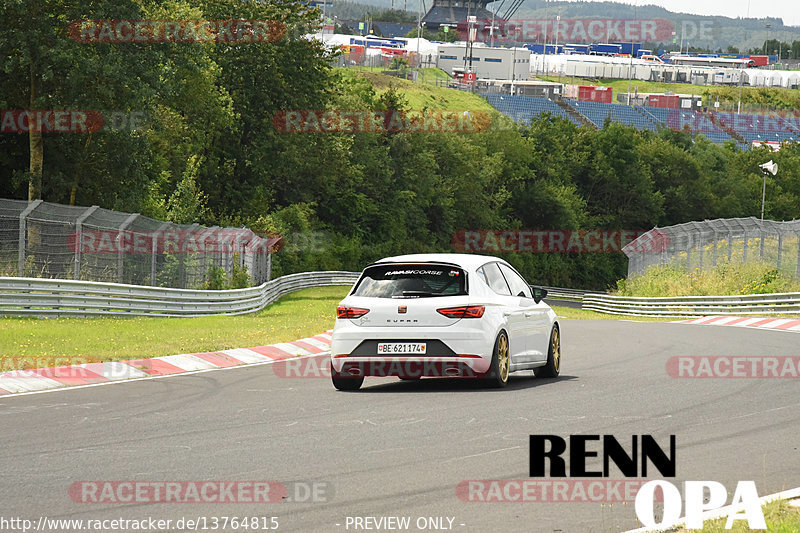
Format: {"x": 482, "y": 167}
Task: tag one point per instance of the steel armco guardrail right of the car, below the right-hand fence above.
{"x": 748, "y": 304}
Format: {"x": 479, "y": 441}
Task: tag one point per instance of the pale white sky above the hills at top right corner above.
{"x": 788, "y": 10}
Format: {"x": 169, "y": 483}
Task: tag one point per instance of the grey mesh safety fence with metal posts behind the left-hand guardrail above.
{"x": 46, "y": 240}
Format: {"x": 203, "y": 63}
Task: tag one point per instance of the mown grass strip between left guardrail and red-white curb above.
{"x": 29, "y": 342}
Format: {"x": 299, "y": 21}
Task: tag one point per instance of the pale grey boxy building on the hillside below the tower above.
{"x": 486, "y": 62}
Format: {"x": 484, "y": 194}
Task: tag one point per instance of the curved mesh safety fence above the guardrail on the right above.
{"x": 706, "y": 244}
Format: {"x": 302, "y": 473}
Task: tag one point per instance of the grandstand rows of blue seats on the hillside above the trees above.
{"x": 742, "y": 129}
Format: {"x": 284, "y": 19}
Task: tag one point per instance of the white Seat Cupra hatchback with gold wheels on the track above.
{"x": 443, "y": 315}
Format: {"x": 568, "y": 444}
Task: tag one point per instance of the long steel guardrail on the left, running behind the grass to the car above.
{"x": 49, "y": 297}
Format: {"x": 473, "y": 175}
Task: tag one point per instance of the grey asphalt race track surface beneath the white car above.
{"x": 401, "y": 448}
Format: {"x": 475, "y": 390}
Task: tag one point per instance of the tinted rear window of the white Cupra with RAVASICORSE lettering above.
{"x": 411, "y": 281}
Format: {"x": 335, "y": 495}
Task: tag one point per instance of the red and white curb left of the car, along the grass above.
{"x": 41, "y": 379}
